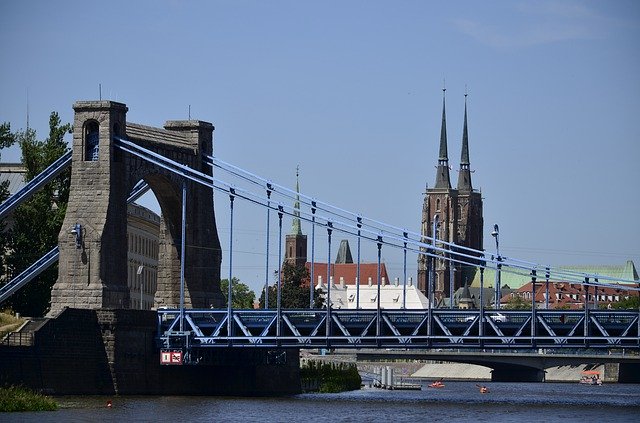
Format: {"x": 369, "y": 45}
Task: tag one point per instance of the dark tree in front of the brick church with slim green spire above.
{"x": 293, "y": 293}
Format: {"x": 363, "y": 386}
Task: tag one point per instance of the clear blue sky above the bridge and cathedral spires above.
{"x": 351, "y": 92}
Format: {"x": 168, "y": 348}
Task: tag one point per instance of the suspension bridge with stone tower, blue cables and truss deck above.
{"x": 191, "y": 317}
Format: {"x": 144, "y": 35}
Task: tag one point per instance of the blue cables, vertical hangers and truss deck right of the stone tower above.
{"x": 393, "y": 328}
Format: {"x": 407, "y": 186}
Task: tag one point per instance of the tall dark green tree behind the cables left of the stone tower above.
{"x": 37, "y": 221}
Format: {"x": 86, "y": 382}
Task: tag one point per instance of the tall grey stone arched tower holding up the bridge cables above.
{"x": 93, "y": 240}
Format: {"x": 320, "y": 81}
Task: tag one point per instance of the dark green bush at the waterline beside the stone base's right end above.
{"x": 330, "y": 377}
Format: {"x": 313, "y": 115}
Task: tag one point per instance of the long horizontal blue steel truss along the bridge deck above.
{"x": 437, "y": 328}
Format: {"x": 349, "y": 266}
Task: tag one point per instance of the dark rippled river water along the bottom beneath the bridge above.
{"x": 456, "y": 402}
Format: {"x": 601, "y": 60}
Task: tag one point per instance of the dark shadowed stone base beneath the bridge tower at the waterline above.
{"x": 114, "y": 351}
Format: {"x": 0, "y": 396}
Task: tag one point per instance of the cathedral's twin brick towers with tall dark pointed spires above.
{"x": 458, "y": 216}
